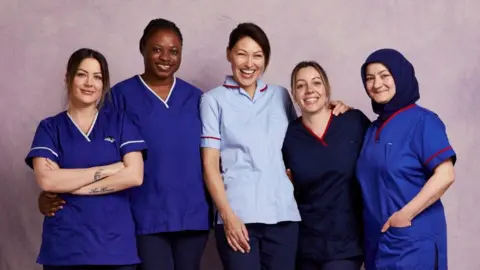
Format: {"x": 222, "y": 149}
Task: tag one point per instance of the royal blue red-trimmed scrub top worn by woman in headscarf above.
{"x": 396, "y": 161}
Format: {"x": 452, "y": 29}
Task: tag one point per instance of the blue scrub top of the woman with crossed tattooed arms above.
{"x": 89, "y": 230}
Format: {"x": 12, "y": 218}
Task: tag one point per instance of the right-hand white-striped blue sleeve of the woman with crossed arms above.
{"x": 131, "y": 140}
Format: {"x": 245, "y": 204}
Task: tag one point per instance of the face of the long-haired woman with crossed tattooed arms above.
{"x": 86, "y": 86}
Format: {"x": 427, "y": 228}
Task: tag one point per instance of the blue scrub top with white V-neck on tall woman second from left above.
{"x": 173, "y": 195}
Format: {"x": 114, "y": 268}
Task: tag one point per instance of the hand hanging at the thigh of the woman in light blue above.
{"x": 236, "y": 233}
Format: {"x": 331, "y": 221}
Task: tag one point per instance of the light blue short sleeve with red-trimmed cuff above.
{"x": 210, "y": 117}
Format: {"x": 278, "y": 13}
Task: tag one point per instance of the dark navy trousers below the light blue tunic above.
{"x": 272, "y": 247}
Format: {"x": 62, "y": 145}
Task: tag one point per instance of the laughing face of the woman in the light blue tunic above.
{"x": 248, "y": 62}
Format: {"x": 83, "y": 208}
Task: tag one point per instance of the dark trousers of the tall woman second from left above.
{"x": 172, "y": 250}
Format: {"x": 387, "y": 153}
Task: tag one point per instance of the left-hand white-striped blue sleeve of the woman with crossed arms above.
{"x": 45, "y": 144}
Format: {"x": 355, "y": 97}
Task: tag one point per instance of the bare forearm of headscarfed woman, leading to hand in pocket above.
{"x": 433, "y": 190}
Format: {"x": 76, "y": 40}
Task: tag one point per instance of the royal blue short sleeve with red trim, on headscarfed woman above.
{"x": 431, "y": 142}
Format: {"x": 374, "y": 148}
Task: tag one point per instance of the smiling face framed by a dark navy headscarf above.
{"x": 379, "y": 83}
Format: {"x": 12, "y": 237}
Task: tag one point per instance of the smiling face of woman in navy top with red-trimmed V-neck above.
{"x": 310, "y": 91}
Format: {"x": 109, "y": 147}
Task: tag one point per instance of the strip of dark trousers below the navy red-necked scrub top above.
{"x": 345, "y": 264}
